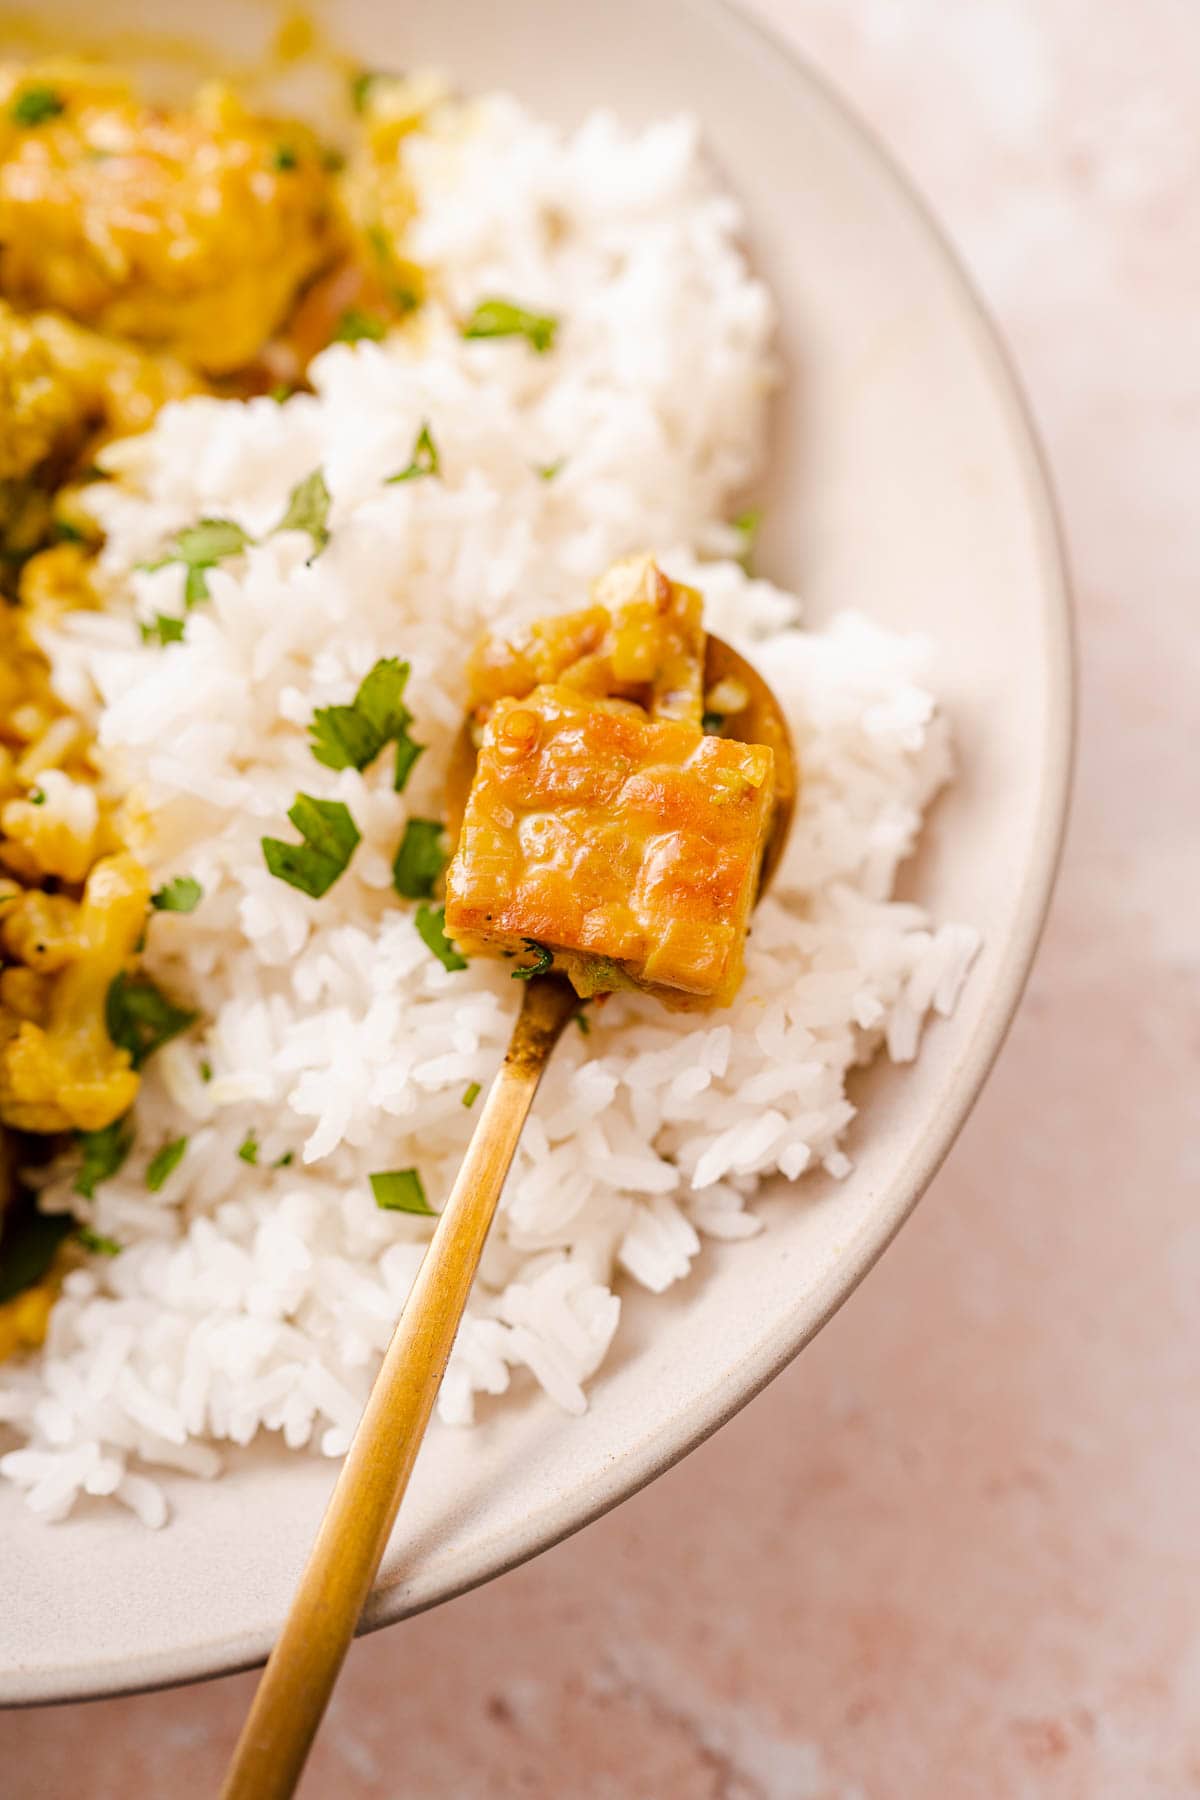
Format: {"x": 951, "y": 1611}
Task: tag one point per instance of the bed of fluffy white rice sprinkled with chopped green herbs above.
{"x": 256, "y": 1299}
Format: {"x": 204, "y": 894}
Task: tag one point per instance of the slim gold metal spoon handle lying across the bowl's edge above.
{"x": 359, "y": 1520}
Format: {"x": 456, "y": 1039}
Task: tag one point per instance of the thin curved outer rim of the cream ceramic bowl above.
{"x": 652, "y": 1455}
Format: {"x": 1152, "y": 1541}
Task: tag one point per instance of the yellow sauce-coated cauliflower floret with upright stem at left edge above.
{"x": 67, "y": 1074}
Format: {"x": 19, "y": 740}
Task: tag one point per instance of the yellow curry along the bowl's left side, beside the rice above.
{"x": 145, "y": 255}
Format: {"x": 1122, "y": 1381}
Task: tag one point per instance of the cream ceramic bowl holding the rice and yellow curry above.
{"x": 906, "y": 483}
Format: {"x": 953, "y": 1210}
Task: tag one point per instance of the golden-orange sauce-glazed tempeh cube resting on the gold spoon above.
{"x": 629, "y": 847}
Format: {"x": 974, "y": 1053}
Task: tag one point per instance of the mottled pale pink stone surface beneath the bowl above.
{"x": 953, "y": 1552}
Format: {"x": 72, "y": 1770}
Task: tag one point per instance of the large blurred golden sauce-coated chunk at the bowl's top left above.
{"x": 190, "y": 229}
